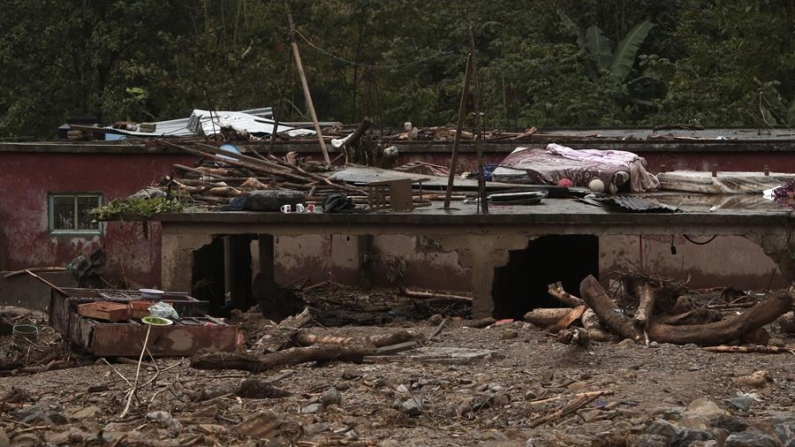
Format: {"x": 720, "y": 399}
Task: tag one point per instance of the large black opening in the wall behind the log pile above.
{"x": 521, "y": 285}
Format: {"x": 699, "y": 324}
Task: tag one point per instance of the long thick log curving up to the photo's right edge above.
{"x": 727, "y": 330}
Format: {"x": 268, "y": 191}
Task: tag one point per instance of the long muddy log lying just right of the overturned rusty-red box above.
{"x": 274, "y": 360}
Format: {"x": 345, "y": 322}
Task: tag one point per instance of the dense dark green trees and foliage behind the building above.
{"x": 541, "y": 62}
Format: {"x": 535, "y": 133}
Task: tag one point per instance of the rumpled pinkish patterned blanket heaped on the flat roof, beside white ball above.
{"x": 556, "y": 162}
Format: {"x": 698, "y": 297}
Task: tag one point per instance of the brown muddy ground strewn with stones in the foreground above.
{"x": 468, "y": 386}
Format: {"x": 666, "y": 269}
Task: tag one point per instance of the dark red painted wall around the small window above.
{"x": 27, "y": 179}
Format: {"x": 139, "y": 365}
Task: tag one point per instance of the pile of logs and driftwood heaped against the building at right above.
{"x": 652, "y": 310}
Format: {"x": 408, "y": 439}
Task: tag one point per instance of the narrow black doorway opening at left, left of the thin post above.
{"x": 207, "y": 282}
